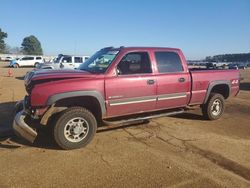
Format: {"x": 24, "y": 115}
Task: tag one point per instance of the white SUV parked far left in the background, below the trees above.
{"x": 26, "y": 61}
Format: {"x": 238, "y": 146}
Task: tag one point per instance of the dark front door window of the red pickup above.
{"x": 134, "y": 63}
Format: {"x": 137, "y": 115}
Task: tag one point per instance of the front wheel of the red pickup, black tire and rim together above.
{"x": 64, "y": 131}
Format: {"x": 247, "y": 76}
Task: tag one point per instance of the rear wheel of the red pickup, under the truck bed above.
{"x": 210, "y": 110}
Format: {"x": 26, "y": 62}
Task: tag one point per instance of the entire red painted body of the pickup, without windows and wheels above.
{"x": 131, "y": 94}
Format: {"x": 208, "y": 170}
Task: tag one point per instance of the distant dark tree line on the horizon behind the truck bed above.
{"x": 242, "y": 57}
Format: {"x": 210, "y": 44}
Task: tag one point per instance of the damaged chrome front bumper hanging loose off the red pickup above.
{"x": 20, "y": 127}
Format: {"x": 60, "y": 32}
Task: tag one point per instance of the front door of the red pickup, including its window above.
{"x": 133, "y": 90}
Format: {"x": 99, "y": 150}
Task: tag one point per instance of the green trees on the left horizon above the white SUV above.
{"x": 30, "y": 45}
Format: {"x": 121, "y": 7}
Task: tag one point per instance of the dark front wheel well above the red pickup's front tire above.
{"x": 88, "y": 102}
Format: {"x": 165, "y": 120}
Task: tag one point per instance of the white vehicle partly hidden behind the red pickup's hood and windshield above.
{"x": 65, "y": 62}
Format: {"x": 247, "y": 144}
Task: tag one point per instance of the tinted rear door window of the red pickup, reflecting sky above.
{"x": 168, "y": 62}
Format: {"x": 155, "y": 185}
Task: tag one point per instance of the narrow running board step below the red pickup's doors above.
{"x": 115, "y": 123}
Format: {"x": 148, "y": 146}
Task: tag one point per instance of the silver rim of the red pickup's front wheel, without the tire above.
{"x": 76, "y": 129}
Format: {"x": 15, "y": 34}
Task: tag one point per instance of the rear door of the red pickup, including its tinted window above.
{"x": 173, "y": 81}
